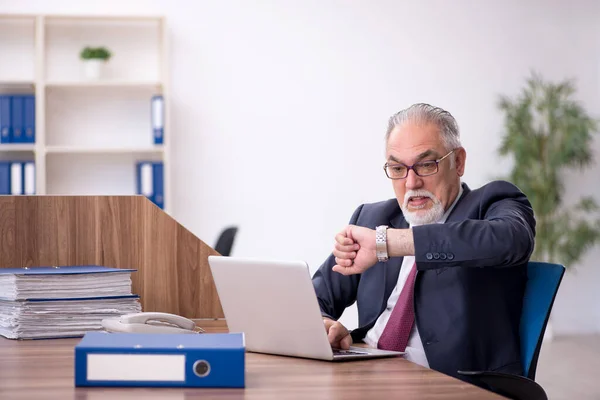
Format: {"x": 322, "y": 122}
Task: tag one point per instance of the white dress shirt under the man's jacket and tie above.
{"x": 414, "y": 348}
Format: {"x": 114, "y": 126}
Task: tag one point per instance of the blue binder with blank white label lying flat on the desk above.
{"x": 161, "y": 360}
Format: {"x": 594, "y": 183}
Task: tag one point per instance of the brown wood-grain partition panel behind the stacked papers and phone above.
{"x": 117, "y": 231}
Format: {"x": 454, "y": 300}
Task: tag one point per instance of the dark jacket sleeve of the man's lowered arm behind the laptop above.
{"x": 335, "y": 291}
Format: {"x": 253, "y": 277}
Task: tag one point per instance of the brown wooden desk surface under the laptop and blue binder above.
{"x": 43, "y": 369}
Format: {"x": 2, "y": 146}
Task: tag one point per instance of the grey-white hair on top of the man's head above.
{"x": 426, "y": 113}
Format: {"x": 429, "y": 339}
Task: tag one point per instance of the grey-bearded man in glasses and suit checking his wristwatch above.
{"x": 439, "y": 271}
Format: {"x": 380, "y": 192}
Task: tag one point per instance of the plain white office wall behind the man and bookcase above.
{"x": 279, "y": 107}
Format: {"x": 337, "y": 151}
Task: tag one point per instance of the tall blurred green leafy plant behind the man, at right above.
{"x": 548, "y": 133}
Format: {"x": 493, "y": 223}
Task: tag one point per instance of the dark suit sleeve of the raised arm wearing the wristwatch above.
{"x": 502, "y": 236}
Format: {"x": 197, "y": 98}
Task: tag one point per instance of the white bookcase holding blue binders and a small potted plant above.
{"x": 89, "y": 133}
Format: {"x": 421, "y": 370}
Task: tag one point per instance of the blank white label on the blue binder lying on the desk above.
{"x": 136, "y": 367}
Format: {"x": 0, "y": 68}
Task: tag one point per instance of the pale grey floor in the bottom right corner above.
{"x": 569, "y": 368}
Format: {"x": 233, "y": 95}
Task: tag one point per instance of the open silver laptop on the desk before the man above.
{"x": 275, "y": 305}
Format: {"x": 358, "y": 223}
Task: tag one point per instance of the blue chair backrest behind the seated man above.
{"x": 543, "y": 280}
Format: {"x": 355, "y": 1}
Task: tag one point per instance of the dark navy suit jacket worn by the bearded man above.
{"x": 471, "y": 274}
